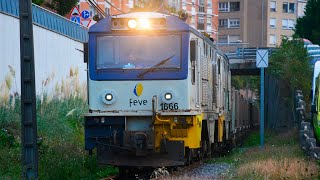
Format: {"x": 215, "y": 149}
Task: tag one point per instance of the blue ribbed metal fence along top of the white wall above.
{"x": 48, "y": 20}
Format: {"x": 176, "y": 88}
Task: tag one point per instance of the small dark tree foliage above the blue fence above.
{"x": 63, "y": 7}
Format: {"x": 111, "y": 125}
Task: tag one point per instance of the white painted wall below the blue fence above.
{"x": 54, "y": 54}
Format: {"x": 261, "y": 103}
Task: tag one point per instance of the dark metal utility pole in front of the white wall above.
{"x": 28, "y": 94}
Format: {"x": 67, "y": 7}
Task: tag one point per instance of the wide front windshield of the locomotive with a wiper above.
{"x": 138, "y": 52}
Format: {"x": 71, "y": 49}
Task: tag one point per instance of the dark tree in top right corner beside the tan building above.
{"x": 308, "y": 26}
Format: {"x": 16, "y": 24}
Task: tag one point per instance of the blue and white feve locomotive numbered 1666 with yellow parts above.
{"x": 159, "y": 92}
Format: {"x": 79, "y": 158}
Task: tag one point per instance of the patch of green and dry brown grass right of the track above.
{"x": 281, "y": 158}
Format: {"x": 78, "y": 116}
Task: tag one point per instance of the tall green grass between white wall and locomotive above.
{"x": 61, "y": 150}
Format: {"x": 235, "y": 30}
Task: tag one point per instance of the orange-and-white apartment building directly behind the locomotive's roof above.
{"x": 202, "y": 14}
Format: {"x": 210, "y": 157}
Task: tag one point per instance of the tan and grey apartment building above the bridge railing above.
{"x": 256, "y": 23}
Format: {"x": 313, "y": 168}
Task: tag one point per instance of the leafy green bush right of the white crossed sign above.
{"x": 291, "y": 64}
